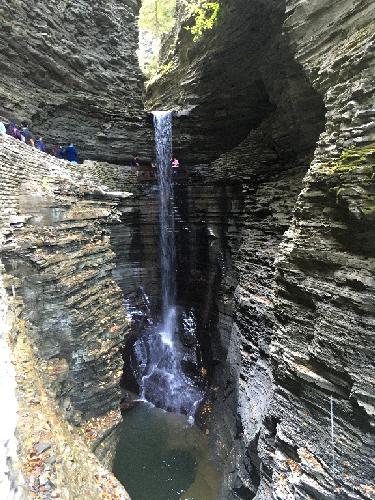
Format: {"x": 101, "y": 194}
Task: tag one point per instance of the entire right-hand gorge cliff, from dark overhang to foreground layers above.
{"x": 298, "y": 324}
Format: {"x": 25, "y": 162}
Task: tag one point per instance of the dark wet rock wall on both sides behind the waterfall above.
{"x": 206, "y": 230}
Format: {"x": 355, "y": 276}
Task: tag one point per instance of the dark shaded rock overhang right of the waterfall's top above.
{"x": 237, "y": 76}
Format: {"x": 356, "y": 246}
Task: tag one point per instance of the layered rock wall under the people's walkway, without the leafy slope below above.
{"x": 60, "y": 262}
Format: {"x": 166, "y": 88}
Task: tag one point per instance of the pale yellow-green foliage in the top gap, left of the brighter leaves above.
{"x": 157, "y": 16}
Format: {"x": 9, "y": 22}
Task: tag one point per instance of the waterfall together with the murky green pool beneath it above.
{"x": 161, "y": 454}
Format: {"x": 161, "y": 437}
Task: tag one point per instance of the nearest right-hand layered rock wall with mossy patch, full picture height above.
{"x": 318, "y": 440}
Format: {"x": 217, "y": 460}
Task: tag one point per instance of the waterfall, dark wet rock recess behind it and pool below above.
{"x": 168, "y": 442}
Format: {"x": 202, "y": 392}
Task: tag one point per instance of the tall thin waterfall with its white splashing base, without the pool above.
{"x": 159, "y": 352}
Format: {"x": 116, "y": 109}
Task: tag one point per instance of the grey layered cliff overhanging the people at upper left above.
{"x": 70, "y": 69}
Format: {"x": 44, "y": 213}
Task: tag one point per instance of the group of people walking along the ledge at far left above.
{"x": 23, "y": 133}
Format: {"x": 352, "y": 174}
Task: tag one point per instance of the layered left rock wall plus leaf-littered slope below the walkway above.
{"x": 66, "y": 311}
